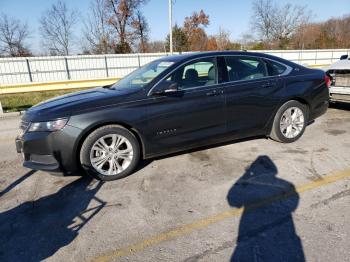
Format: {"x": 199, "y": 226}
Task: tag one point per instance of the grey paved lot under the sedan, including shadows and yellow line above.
{"x": 255, "y": 199}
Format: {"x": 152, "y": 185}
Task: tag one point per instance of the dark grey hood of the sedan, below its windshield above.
{"x": 64, "y": 106}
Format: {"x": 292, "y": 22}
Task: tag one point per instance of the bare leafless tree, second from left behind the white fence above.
{"x": 56, "y": 27}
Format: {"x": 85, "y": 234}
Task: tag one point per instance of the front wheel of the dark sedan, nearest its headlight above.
{"x": 101, "y": 157}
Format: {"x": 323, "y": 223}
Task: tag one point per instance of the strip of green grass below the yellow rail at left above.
{"x": 22, "y": 101}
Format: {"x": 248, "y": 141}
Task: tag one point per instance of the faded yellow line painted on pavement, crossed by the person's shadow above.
{"x": 202, "y": 223}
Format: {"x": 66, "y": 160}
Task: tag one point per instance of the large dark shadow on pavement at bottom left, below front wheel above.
{"x": 36, "y": 230}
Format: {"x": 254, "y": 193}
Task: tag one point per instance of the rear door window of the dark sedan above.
{"x": 245, "y": 68}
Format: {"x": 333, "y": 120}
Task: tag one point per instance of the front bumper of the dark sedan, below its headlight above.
{"x": 53, "y": 152}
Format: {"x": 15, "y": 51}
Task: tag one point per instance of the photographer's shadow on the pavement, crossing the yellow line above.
{"x": 266, "y": 229}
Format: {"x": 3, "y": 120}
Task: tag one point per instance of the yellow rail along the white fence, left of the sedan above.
{"x": 39, "y": 87}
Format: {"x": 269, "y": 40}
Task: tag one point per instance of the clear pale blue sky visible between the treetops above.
{"x": 231, "y": 15}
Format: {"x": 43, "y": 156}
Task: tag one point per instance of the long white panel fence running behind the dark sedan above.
{"x": 57, "y": 68}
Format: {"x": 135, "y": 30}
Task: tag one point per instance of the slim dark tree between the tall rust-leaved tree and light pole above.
{"x": 140, "y": 25}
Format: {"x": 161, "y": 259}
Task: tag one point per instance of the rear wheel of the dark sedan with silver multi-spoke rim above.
{"x": 280, "y": 122}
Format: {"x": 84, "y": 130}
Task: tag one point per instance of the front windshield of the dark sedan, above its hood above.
{"x": 142, "y": 76}
